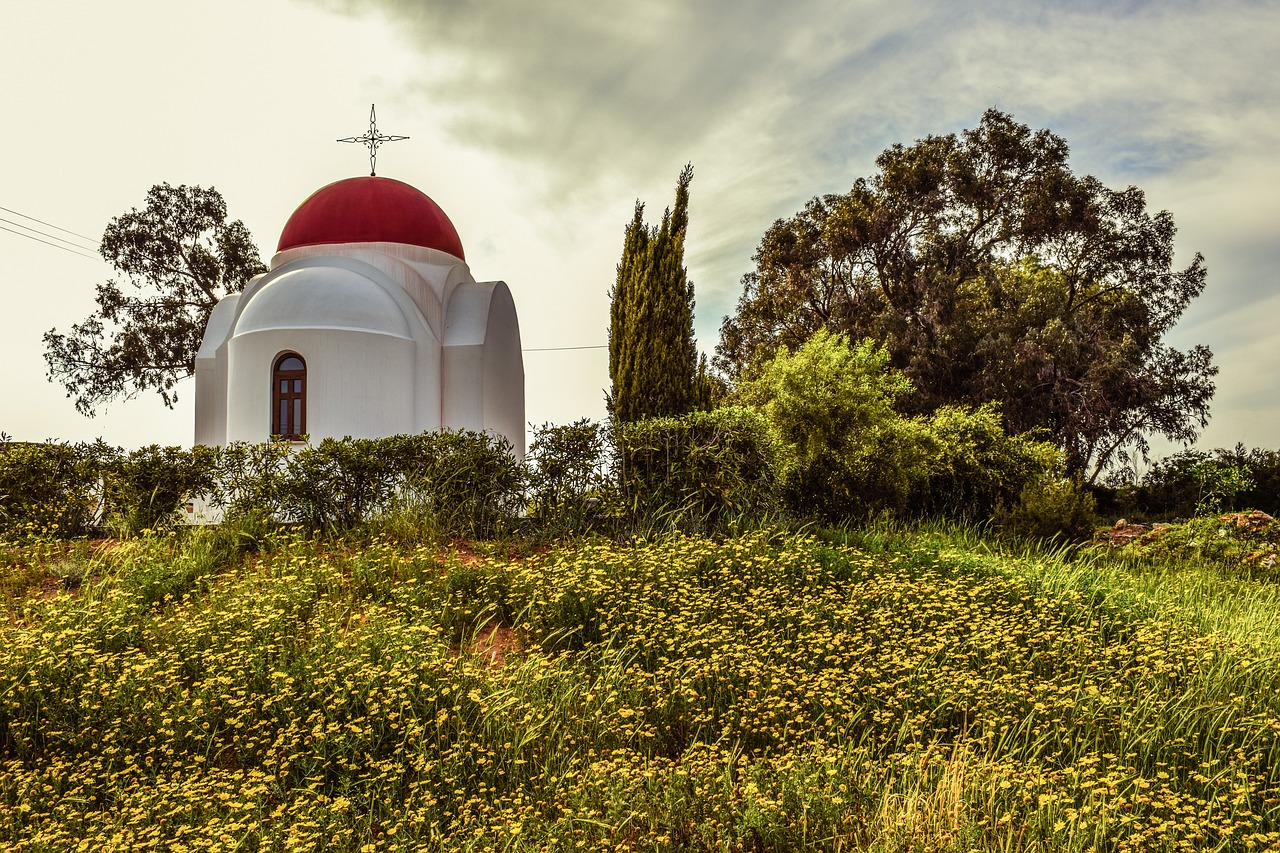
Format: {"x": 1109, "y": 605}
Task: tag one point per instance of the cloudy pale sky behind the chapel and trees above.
{"x": 538, "y": 126}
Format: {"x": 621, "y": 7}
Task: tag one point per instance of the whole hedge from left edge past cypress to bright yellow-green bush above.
{"x": 698, "y": 472}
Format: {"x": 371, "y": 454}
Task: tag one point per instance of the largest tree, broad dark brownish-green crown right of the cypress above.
{"x": 993, "y": 273}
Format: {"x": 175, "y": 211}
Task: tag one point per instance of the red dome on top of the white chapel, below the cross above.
{"x": 367, "y": 211}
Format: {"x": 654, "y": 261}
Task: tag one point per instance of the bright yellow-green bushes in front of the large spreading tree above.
{"x": 848, "y": 453}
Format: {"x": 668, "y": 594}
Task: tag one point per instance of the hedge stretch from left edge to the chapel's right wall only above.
{"x": 62, "y": 491}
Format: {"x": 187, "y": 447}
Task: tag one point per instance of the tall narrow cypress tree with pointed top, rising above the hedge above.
{"x": 653, "y": 358}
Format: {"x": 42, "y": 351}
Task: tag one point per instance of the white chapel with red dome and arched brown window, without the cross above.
{"x": 368, "y": 325}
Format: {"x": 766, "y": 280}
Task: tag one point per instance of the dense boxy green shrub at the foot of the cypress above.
{"x": 698, "y": 472}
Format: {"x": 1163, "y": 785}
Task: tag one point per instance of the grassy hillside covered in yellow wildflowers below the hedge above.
{"x": 769, "y": 692}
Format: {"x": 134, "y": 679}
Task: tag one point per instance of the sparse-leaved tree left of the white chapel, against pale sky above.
{"x": 177, "y": 258}
